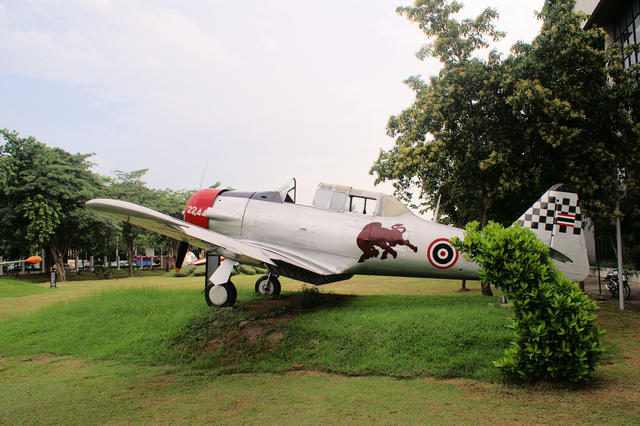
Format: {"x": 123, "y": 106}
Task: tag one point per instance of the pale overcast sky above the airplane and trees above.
{"x": 256, "y": 92}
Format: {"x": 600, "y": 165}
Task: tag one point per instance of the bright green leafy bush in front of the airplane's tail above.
{"x": 556, "y": 336}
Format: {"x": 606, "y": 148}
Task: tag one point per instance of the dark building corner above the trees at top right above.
{"x": 619, "y": 18}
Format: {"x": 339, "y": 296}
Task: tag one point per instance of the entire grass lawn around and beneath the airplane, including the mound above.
{"x": 391, "y": 350}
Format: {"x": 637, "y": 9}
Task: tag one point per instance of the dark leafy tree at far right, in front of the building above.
{"x": 579, "y": 108}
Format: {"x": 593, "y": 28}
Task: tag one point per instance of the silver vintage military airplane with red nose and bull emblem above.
{"x": 345, "y": 231}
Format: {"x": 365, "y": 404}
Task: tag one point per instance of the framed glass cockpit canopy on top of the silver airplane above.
{"x": 347, "y": 199}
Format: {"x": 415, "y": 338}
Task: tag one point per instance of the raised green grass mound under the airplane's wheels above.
{"x": 404, "y": 336}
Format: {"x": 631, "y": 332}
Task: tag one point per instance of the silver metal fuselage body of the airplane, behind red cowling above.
{"x": 329, "y": 238}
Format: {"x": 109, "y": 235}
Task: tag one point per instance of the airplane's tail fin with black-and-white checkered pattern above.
{"x": 557, "y": 221}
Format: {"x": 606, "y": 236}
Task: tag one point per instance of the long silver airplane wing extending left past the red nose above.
{"x": 180, "y": 230}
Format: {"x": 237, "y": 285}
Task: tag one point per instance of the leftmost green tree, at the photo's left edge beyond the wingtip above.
{"x": 43, "y": 194}
